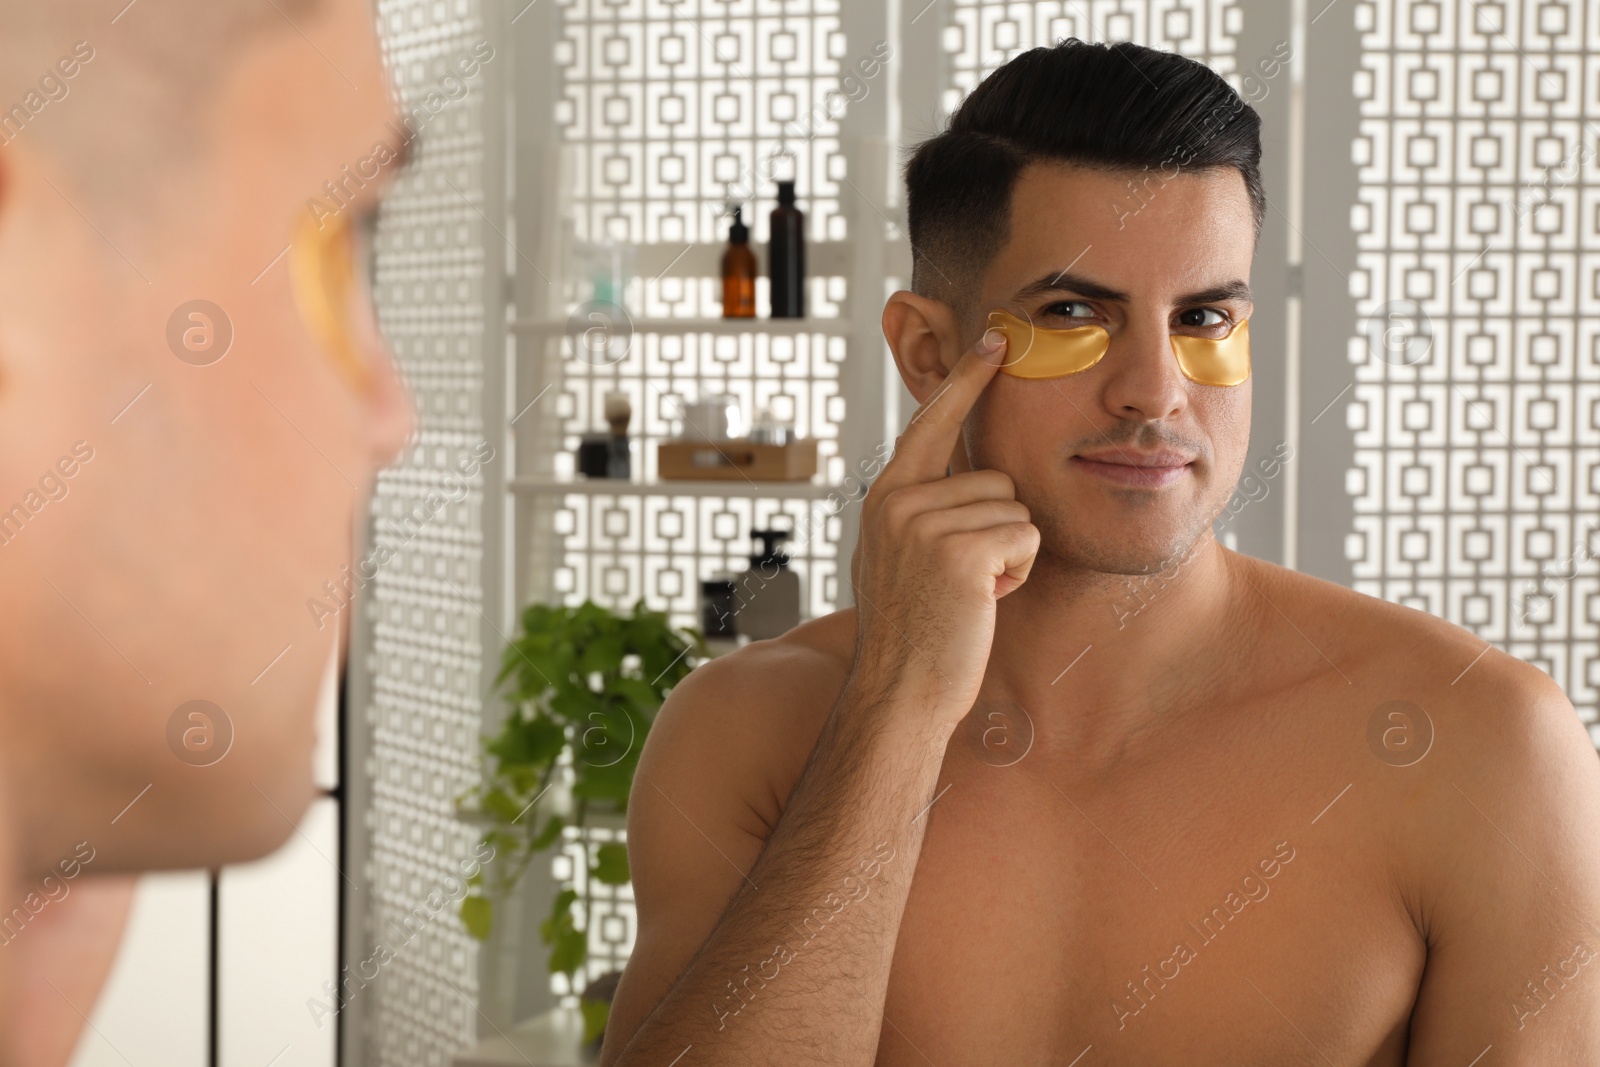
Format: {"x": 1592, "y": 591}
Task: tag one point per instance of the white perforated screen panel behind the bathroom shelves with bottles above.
{"x": 658, "y": 116}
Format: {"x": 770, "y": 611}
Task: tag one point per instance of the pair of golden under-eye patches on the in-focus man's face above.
{"x": 1039, "y": 353}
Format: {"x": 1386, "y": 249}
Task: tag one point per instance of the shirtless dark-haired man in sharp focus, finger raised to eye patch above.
{"x": 1022, "y": 809}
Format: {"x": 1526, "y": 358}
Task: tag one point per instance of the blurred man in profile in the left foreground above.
{"x": 177, "y": 479}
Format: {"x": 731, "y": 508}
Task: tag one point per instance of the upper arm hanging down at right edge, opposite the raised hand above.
{"x": 1513, "y": 889}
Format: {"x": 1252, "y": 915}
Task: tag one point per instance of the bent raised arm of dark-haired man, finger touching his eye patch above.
{"x": 796, "y": 965}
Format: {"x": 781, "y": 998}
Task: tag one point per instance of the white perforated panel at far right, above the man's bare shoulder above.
{"x": 1478, "y": 378}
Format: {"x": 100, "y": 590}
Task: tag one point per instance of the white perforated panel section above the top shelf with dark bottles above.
{"x": 676, "y": 106}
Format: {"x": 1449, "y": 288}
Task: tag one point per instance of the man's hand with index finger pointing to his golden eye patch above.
{"x": 937, "y": 553}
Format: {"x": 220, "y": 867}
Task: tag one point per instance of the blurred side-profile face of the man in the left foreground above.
{"x": 220, "y": 497}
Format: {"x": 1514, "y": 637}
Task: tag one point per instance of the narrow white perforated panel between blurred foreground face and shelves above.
{"x": 430, "y": 623}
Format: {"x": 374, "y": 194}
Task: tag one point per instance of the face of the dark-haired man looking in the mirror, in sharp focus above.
{"x": 1084, "y": 252}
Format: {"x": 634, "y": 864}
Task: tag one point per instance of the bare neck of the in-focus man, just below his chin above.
{"x": 1097, "y": 658}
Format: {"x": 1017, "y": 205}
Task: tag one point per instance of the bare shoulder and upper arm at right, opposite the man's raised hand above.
{"x": 1476, "y": 786}
